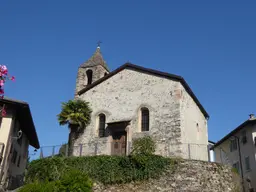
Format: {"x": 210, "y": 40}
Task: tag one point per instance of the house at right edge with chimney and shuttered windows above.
{"x": 238, "y": 149}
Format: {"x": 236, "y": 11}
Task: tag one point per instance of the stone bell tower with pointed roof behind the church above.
{"x": 91, "y": 70}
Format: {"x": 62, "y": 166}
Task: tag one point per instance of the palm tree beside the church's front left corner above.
{"x": 77, "y": 115}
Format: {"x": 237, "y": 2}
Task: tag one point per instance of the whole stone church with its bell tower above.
{"x": 133, "y": 101}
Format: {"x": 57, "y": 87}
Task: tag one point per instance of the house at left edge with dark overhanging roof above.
{"x": 17, "y": 132}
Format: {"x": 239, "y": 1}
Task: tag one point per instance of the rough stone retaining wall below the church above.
{"x": 190, "y": 176}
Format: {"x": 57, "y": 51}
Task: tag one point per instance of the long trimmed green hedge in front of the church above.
{"x": 106, "y": 169}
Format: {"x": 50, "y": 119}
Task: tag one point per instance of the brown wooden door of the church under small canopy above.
{"x": 119, "y": 144}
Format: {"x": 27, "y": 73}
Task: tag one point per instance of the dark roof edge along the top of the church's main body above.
{"x": 152, "y": 72}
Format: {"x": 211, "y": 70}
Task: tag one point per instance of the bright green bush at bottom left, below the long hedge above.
{"x": 72, "y": 181}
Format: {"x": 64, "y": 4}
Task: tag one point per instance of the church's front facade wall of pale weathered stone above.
{"x": 122, "y": 96}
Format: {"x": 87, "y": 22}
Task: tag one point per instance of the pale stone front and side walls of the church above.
{"x": 174, "y": 116}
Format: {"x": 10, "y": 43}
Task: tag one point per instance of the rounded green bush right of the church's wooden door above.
{"x": 144, "y": 146}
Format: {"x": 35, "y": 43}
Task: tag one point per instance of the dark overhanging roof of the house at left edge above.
{"x": 25, "y": 118}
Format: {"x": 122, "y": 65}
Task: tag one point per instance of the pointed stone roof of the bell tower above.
{"x": 96, "y": 59}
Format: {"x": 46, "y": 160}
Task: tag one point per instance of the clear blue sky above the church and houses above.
{"x": 212, "y": 44}
